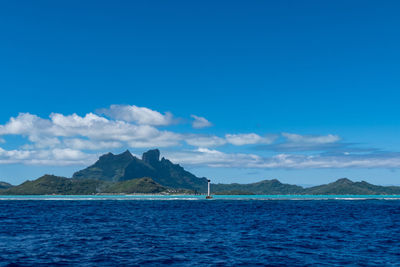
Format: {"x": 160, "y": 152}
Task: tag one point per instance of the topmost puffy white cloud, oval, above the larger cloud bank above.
{"x": 139, "y": 115}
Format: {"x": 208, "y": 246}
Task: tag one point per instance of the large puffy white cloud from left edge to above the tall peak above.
{"x": 44, "y": 132}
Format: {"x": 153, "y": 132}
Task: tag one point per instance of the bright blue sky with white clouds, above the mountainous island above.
{"x": 302, "y": 91}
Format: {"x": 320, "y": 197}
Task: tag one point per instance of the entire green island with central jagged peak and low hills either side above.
{"x": 127, "y": 174}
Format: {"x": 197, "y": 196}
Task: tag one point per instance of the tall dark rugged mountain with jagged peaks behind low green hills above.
{"x": 125, "y": 166}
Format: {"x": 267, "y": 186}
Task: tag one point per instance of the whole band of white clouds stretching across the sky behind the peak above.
{"x": 78, "y": 140}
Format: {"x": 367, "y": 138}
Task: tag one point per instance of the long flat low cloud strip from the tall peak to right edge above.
{"x": 214, "y": 158}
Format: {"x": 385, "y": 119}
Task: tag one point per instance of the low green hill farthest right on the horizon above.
{"x": 345, "y": 186}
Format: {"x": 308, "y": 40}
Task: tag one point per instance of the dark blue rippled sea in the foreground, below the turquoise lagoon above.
{"x": 199, "y": 232}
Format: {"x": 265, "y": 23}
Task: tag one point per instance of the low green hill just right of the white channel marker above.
{"x": 266, "y": 187}
